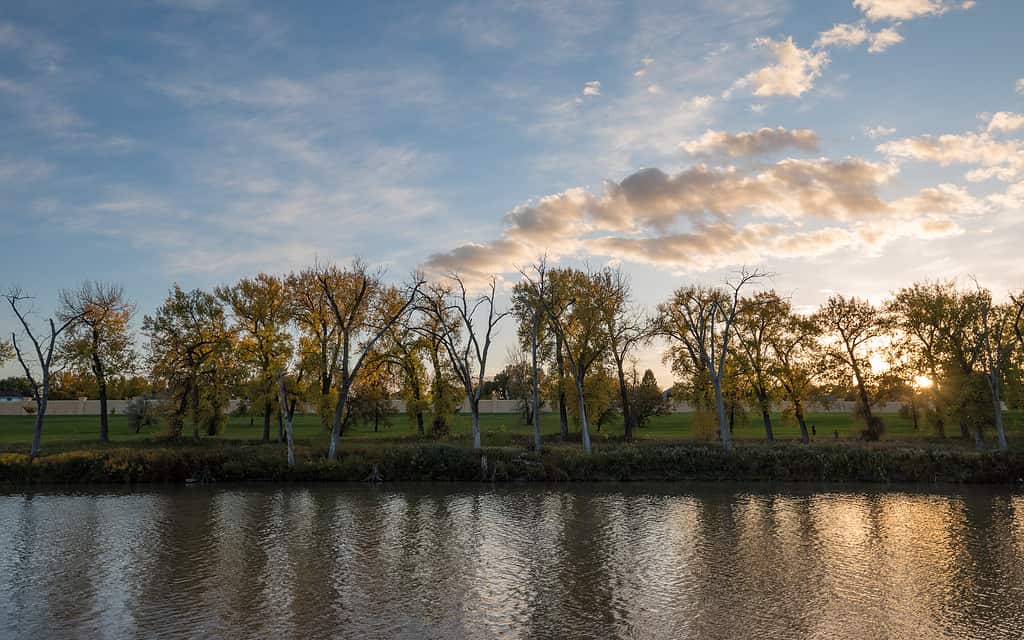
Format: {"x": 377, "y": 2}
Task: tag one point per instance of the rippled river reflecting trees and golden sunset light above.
{"x": 468, "y": 562}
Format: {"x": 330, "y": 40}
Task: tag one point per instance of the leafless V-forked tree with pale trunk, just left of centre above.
{"x": 464, "y": 337}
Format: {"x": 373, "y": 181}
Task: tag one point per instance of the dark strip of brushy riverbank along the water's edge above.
{"x": 175, "y": 463}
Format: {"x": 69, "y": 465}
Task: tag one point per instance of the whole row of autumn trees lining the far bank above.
{"x": 345, "y": 342}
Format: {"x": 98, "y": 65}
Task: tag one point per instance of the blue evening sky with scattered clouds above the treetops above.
{"x": 850, "y": 146}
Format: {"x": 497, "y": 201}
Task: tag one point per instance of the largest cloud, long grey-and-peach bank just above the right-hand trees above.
{"x": 733, "y": 217}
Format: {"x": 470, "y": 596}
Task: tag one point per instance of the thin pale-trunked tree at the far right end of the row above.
{"x": 998, "y": 331}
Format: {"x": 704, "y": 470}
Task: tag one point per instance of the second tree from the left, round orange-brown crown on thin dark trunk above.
{"x": 101, "y": 342}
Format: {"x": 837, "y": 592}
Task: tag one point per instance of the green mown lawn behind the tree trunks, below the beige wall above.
{"x": 62, "y": 433}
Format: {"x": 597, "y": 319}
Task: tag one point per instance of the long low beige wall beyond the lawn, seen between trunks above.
{"x": 92, "y": 408}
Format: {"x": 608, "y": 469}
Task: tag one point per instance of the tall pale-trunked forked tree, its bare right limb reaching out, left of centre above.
{"x": 363, "y": 319}
